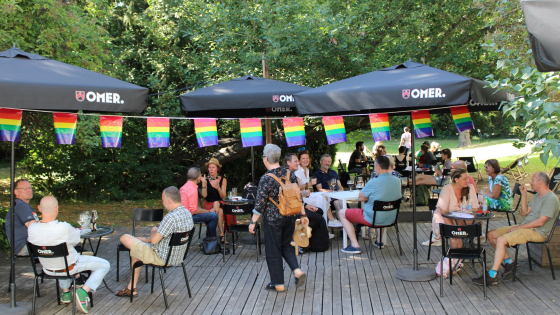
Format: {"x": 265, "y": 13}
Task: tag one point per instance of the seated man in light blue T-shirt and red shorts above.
{"x": 384, "y": 188}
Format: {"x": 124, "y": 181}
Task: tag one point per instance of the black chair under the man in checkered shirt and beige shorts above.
{"x": 177, "y": 240}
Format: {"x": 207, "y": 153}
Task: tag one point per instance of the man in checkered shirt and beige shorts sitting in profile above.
{"x": 154, "y": 250}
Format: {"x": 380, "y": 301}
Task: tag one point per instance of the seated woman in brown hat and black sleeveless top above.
{"x": 213, "y": 191}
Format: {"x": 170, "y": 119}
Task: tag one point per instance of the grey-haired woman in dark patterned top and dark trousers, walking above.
{"x": 278, "y": 229}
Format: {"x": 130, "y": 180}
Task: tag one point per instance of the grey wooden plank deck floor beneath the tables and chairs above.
{"x": 337, "y": 284}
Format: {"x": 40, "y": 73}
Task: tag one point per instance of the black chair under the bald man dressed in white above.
{"x": 48, "y": 252}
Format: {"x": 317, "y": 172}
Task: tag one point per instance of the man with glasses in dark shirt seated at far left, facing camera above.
{"x": 25, "y": 216}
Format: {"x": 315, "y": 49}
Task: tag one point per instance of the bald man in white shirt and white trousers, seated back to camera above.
{"x": 51, "y": 232}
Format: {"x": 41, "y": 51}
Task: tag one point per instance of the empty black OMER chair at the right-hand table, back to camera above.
{"x": 471, "y": 250}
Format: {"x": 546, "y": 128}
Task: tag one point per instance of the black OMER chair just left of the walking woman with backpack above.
{"x": 235, "y": 210}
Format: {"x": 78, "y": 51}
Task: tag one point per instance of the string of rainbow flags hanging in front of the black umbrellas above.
{"x": 207, "y": 132}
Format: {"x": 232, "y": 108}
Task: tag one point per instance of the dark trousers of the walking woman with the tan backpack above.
{"x": 277, "y": 238}
